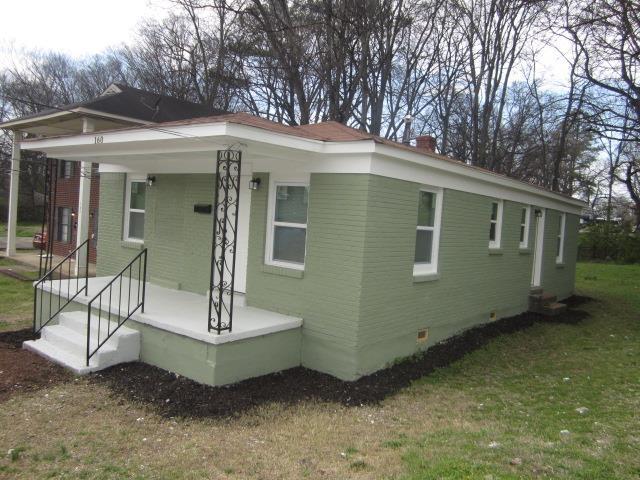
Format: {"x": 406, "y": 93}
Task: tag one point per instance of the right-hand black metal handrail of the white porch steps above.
{"x": 140, "y": 295}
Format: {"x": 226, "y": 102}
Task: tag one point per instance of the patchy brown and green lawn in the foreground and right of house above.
{"x": 498, "y": 413}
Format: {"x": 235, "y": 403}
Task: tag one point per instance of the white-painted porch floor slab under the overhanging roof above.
{"x": 181, "y": 312}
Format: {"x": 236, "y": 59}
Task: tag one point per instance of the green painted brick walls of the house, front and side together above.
{"x": 360, "y": 304}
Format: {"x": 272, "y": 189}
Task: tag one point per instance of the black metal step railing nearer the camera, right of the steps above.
{"x": 101, "y": 335}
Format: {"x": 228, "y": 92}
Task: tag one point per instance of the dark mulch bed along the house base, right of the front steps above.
{"x": 175, "y": 396}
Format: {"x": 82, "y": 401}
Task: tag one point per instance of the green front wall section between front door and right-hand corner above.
{"x": 327, "y": 294}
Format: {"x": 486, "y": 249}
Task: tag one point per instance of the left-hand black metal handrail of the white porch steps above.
{"x": 69, "y": 298}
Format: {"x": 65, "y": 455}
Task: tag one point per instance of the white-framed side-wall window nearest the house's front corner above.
{"x": 427, "y": 232}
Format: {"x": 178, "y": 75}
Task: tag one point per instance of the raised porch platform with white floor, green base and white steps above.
{"x": 172, "y": 332}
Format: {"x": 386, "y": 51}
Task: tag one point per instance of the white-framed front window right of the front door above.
{"x": 287, "y": 234}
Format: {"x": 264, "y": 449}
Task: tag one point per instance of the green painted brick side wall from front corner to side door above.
{"x": 472, "y": 281}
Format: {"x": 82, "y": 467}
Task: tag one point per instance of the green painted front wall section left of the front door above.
{"x": 178, "y": 239}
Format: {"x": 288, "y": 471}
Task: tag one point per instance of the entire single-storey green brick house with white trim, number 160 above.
{"x": 333, "y": 249}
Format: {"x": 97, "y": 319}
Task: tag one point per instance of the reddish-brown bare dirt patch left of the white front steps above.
{"x": 21, "y": 370}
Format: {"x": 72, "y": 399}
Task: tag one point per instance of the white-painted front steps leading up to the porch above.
{"x": 66, "y": 343}
